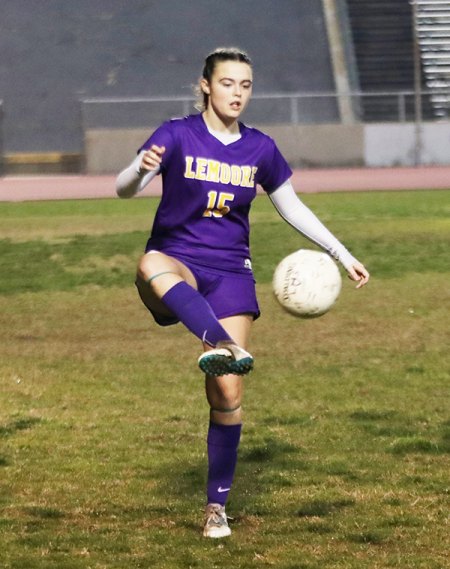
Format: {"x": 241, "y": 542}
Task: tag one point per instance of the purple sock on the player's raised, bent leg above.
{"x": 195, "y": 313}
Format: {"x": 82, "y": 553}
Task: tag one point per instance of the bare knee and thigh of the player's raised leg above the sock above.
{"x": 163, "y": 272}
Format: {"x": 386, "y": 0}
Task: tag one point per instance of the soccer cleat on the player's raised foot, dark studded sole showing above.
{"x": 226, "y": 358}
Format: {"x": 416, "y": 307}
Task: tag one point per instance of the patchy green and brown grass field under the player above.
{"x": 344, "y": 461}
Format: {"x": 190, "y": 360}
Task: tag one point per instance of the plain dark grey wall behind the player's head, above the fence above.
{"x": 56, "y": 52}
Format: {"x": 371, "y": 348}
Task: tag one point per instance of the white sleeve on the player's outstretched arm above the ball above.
{"x": 297, "y": 214}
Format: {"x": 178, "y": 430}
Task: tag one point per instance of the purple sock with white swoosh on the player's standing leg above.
{"x": 223, "y": 442}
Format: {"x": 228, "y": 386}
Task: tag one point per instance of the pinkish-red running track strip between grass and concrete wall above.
{"x": 30, "y": 188}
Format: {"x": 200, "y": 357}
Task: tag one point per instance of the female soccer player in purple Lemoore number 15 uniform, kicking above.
{"x": 196, "y": 268}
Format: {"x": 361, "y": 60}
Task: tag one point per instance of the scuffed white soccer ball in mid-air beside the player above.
{"x": 307, "y": 283}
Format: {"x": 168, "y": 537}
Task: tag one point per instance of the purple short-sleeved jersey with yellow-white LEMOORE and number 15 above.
{"x": 207, "y": 191}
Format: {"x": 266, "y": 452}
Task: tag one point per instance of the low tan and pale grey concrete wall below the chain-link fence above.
{"x": 308, "y": 146}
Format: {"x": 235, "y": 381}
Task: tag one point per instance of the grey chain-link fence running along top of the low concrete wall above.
{"x": 271, "y": 108}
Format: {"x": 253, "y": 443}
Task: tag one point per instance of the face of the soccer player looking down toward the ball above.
{"x": 229, "y": 90}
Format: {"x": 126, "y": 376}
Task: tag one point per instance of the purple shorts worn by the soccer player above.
{"x": 228, "y": 295}
